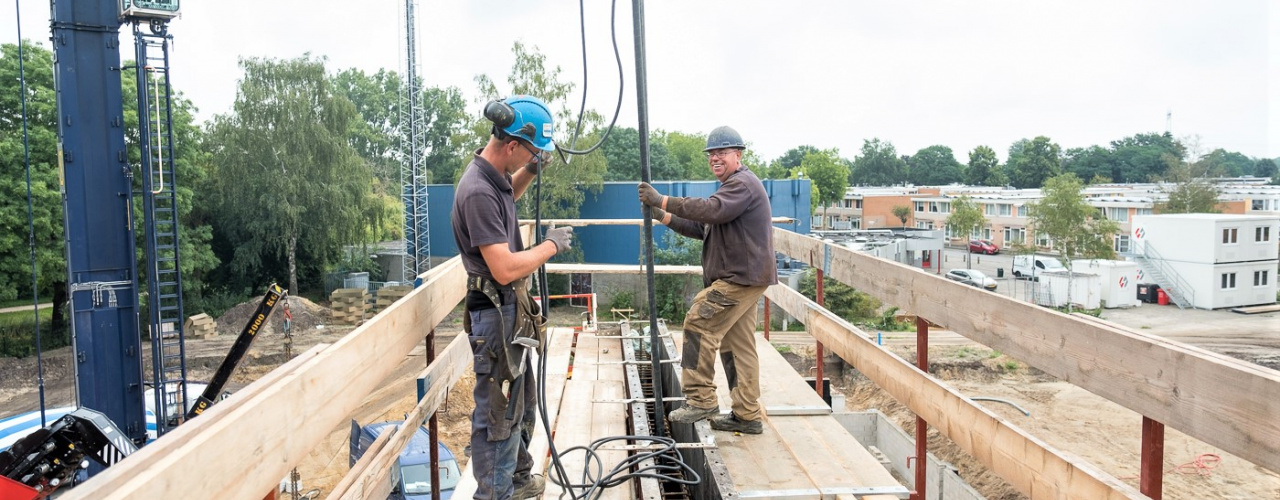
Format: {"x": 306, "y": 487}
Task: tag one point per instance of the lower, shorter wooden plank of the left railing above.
{"x": 369, "y": 478}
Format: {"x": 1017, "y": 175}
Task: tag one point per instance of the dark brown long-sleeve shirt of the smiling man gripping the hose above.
{"x": 737, "y": 228}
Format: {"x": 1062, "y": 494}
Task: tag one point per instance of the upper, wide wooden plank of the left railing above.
{"x": 245, "y": 452}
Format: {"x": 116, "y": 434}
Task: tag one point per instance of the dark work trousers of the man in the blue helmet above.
{"x": 500, "y": 447}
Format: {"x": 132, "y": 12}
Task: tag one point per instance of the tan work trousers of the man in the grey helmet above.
{"x": 723, "y": 320}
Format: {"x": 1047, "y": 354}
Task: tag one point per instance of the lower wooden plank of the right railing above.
{"x": 1028, "y": 465}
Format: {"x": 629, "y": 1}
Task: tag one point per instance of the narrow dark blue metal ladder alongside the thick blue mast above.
{"x": 161, "y": 217}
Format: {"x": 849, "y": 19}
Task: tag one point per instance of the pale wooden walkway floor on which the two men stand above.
{"x": 803, "y": 453}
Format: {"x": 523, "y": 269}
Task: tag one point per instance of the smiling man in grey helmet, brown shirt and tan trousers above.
{"x": 735, "y": 226}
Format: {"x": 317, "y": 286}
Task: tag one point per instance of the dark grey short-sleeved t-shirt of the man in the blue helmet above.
{"x": 484, "y": 213}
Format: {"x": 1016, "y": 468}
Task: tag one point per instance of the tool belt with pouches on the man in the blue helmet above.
{"x": 529, "y": 327}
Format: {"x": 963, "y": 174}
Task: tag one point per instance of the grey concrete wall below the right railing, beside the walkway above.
{"x": 872, "y": 429}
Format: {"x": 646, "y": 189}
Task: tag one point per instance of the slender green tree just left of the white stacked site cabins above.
{"x": 1077, "y": 228}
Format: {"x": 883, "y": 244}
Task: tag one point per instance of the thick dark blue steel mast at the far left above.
{"x": 98, "y": 200}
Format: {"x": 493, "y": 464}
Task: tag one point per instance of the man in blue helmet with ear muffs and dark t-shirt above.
{"x": 497, "y": 263}
